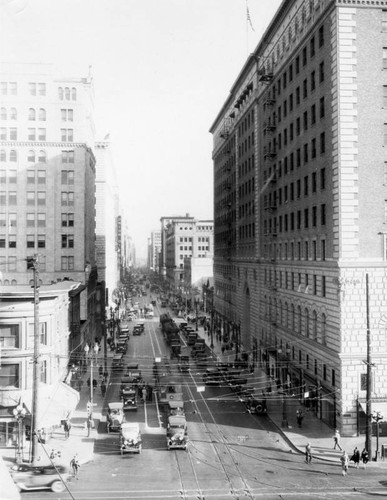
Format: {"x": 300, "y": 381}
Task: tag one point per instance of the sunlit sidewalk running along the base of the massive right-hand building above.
{"x": 313, "y": 430}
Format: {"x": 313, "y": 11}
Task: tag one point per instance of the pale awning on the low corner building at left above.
{"x": 55, "y": 403}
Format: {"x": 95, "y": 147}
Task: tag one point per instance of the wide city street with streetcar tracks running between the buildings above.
{"x": 231, "y": 453}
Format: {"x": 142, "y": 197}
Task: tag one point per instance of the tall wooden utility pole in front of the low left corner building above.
{"x": 32, "y": 263}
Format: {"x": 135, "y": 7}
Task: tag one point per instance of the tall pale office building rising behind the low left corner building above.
{"x": 47, "y": 174}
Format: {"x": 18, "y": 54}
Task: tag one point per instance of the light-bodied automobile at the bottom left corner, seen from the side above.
{"x": 28, "y": 477}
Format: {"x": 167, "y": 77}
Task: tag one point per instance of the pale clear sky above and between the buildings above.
{"x": 162, "y": 70}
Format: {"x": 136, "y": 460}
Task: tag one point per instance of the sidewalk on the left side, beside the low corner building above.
{"x": 78, "y": 442}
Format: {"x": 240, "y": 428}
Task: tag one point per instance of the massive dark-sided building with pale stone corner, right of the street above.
{"x": 300, "y": 211}
